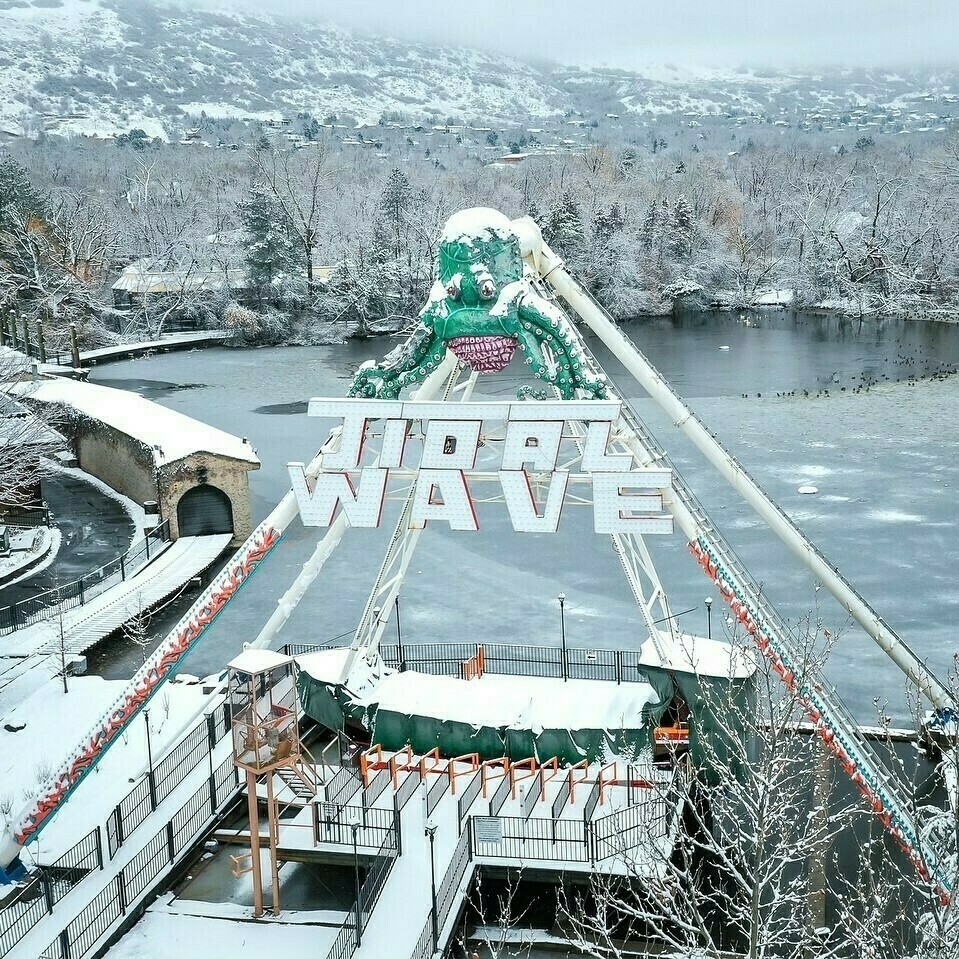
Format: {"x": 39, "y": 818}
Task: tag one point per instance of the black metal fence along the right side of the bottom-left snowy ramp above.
{"x": 113, "y": 902}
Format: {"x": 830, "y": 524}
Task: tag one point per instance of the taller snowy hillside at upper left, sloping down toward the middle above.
{"x": 109, "y": 65}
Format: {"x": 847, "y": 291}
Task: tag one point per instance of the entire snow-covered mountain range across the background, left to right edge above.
{"x": 108, "y": 66}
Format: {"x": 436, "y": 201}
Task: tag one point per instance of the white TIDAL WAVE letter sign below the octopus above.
{"x": 533, "y": 473}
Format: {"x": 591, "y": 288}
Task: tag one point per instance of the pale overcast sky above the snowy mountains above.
{"x": 629, "y": 33}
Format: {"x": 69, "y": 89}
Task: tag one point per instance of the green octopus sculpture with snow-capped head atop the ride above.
{"x": 482, "y": 307}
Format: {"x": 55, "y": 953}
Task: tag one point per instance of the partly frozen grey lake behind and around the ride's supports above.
{"x": 884, "y": 462}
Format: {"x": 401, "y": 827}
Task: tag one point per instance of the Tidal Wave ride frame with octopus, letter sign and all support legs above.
{"x": 571, "y": 439}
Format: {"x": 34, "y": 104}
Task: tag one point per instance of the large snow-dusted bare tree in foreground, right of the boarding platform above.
{"x": 746, "y": 875}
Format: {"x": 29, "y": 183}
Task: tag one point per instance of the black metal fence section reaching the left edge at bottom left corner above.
{"x": 38, "y": 898}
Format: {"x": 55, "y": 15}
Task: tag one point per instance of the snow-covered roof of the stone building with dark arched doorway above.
{"x": 169, "y": 435}
